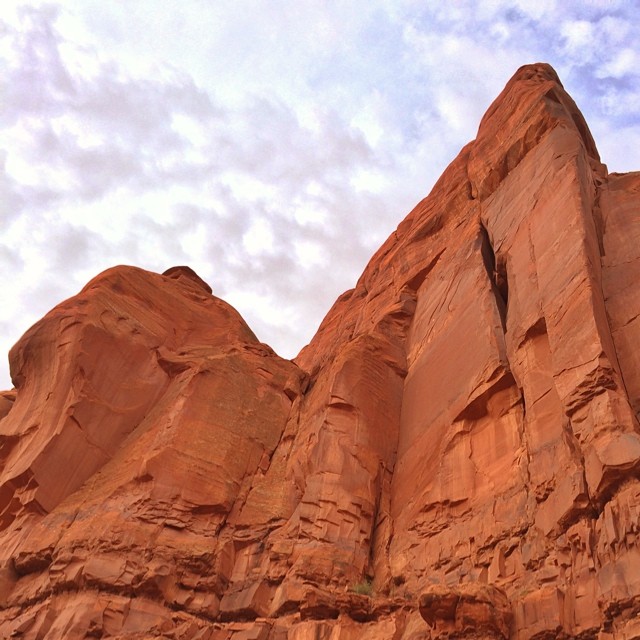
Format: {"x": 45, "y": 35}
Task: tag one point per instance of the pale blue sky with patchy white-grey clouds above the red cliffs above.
{"x": 272, "y": 146}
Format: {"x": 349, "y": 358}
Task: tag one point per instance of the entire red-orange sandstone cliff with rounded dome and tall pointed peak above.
{"x": 456, "y": 453}
